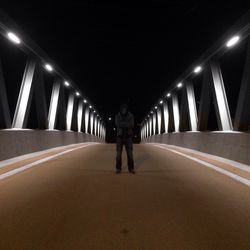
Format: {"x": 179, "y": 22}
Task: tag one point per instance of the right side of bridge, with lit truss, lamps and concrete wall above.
{"x": 207, "y": 107}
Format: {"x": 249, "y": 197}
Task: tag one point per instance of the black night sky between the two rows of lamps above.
{"x": 125, "y": 53}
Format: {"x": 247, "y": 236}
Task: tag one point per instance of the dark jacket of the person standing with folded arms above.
{"x": 124, "y": 124}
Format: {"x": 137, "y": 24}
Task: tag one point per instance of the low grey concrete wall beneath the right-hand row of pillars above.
{"x": 231, "y": 145}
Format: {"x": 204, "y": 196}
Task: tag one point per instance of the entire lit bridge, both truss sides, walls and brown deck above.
{"x": 58, "y": 185}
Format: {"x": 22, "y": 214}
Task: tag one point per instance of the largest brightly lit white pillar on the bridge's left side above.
{"x": 24, "y": 98}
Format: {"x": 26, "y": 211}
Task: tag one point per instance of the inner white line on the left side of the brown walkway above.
{"x": 30, "y": 165}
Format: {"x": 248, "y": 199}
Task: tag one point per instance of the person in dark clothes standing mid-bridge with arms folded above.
{"x": 124, "y": 122}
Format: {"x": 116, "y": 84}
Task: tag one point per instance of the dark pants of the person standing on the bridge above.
{"x": 127, "y": 141}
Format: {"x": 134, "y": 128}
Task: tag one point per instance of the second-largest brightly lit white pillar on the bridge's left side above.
{"x": 53, "y": 105}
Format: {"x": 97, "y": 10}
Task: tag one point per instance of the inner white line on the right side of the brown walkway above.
{"x": 223, "y": 171}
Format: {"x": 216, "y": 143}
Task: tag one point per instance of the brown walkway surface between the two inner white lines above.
{"x": 76, "y": 201}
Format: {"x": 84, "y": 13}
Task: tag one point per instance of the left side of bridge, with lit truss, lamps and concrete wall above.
{"x": 39, "y": 103}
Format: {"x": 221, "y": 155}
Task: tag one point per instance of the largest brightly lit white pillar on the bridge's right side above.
{"x": 221, "y": 98}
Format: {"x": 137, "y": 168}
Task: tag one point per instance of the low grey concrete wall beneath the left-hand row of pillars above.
{"x": 18, "y": 142}
